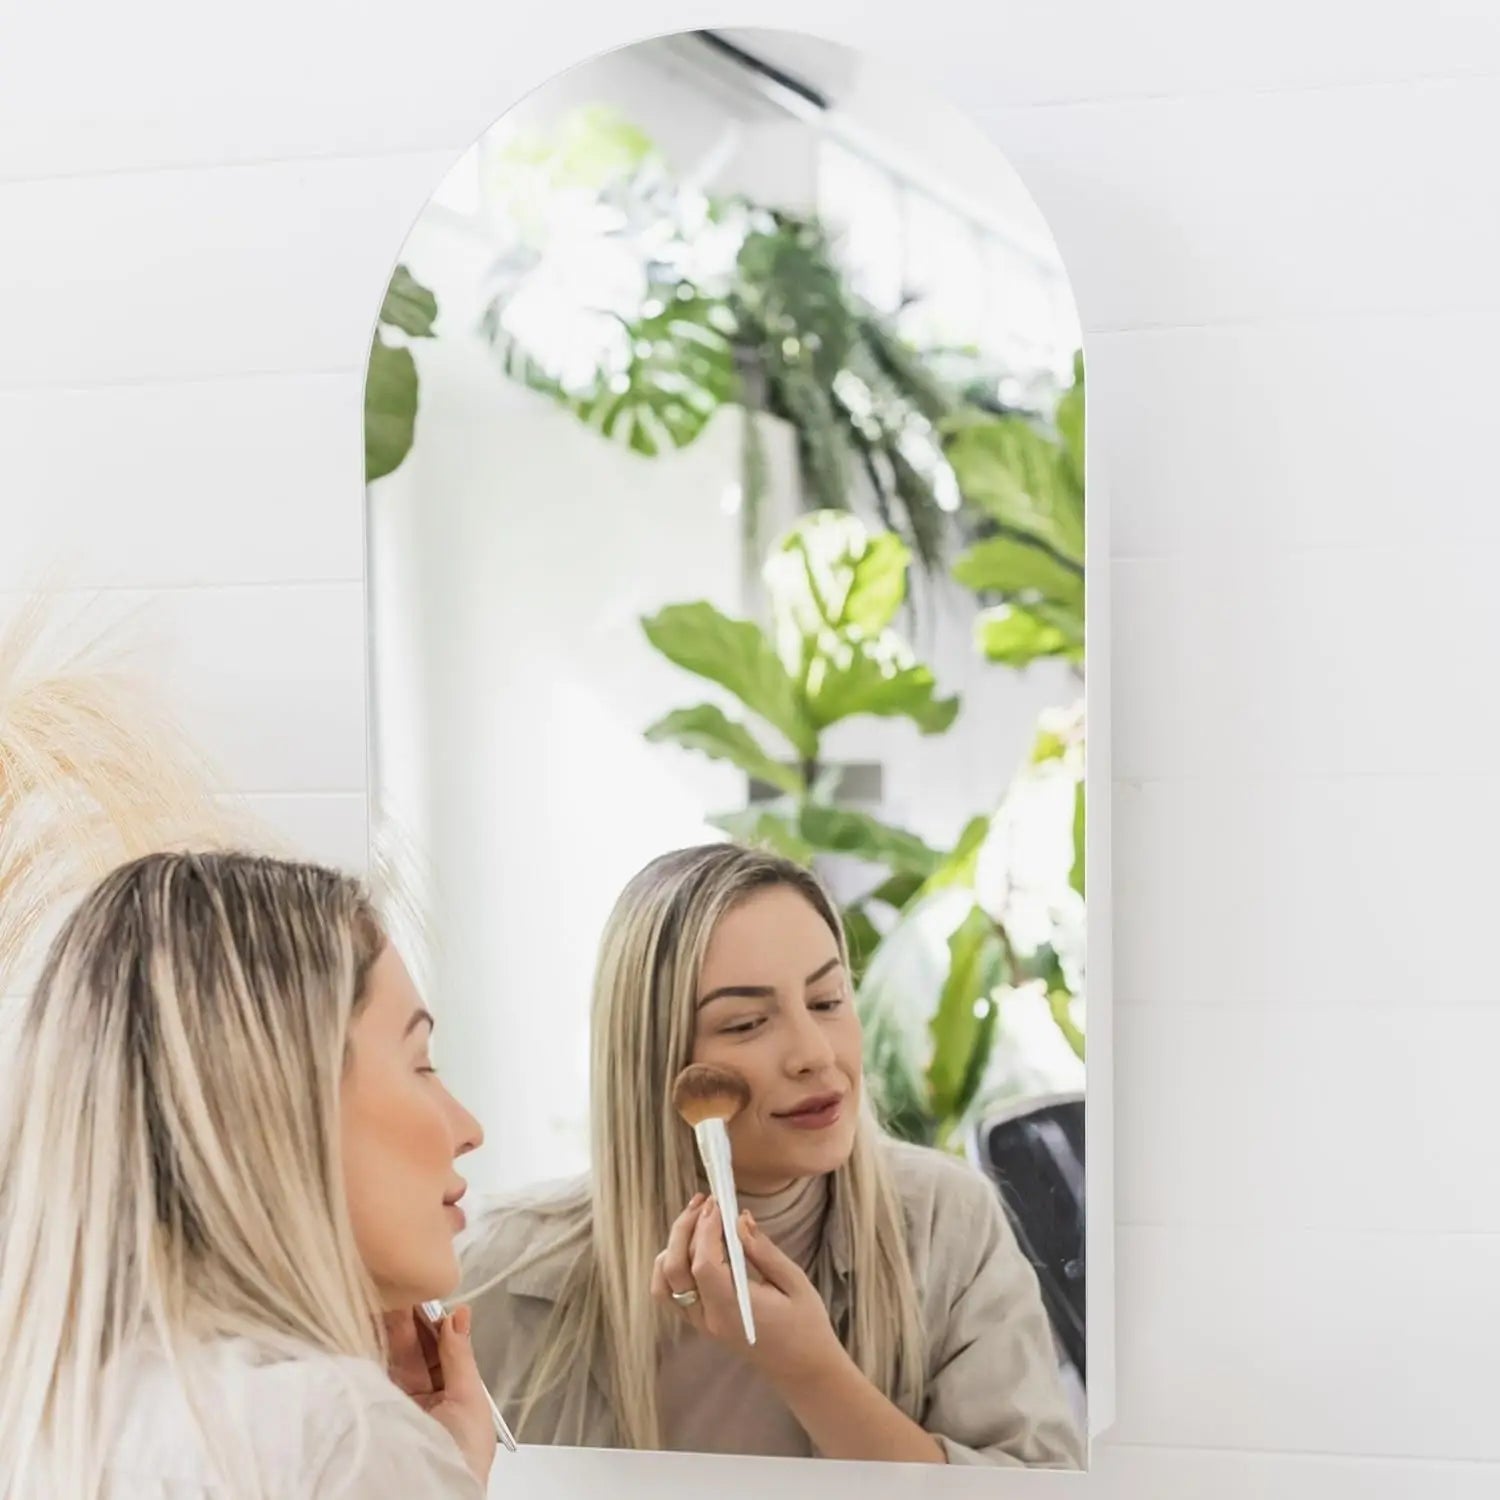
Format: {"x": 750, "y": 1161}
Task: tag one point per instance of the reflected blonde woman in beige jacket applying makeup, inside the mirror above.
{"x": 896, "y": 1316}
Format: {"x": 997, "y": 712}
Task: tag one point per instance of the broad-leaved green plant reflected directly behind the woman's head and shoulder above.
{"x": 830, "y": 655}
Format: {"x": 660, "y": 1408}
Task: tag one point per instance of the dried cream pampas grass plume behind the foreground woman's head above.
{"x": 94, "y": 772}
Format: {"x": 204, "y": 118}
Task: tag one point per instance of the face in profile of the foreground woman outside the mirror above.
{"x": 403, "y": 1133}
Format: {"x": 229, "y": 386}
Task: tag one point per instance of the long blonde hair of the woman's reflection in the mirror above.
{"x": 644, "y": 1168}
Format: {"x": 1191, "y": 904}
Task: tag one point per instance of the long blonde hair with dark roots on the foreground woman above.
{"x": 173, "y": 1172}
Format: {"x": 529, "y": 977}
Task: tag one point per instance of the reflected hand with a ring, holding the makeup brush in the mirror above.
{"x": 796, "y": 1340}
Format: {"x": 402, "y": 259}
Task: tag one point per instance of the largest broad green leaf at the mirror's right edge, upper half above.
{"x": 1022, "y": 479}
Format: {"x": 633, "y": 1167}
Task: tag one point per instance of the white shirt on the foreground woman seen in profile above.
{"x": 295, "y": 1424}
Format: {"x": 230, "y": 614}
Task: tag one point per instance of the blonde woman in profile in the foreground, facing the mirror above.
{"x": 227, "y": 1177}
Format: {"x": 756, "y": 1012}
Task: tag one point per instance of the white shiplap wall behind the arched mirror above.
{"x": 1283, "y": 227}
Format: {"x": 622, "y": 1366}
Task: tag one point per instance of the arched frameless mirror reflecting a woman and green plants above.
{"x": 727, "y": 527}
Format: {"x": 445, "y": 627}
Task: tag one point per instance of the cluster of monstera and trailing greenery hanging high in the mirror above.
{"x": 703, "y": 304}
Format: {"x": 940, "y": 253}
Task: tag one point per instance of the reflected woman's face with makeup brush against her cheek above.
{"x": 775, "y": 1004}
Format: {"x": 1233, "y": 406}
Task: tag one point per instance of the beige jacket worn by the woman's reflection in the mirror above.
{"x": 994, "y": 1393}
